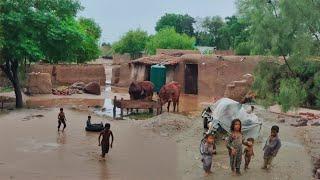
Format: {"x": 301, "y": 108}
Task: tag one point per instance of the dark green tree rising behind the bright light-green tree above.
{"x": 183, "y": 24}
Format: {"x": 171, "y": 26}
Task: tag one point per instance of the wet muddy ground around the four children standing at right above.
{"x": 292, "y": 162}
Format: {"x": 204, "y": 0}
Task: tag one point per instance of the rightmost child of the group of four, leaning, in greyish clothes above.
{"x": 271, "y": 147}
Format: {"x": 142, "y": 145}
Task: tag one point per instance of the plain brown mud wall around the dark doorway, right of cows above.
{"x": 215, "y": 74}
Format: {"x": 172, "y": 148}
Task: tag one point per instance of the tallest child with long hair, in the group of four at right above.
{"x": 234, "y": 145}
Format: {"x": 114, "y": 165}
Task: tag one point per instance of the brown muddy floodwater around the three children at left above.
{"x": 33, "y": 149}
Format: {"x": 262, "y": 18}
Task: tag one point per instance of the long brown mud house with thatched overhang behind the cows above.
{"x": 206, "y": 75}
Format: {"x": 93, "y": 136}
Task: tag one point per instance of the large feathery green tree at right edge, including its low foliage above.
{"x": 290, "y": 29}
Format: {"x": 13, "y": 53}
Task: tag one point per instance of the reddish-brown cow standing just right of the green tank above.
{"x": 170, "y": 93}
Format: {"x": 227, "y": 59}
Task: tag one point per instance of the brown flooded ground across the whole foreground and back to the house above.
{"x": 33, "y": 149}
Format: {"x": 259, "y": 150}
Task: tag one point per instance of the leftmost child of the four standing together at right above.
{"x": 207, "y": 150}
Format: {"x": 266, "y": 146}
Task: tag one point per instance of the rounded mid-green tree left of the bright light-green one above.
{"x": 133, "y": 42}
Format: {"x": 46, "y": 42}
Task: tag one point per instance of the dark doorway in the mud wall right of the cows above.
{"x": 191, "y": 79}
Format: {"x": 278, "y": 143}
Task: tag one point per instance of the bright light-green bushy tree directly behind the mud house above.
{"x": 168, "y": 38}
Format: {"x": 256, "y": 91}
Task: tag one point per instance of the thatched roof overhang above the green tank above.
{"x": 157, "y": 59}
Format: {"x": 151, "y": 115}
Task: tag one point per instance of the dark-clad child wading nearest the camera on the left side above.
{"x": 106, "y": 133}
